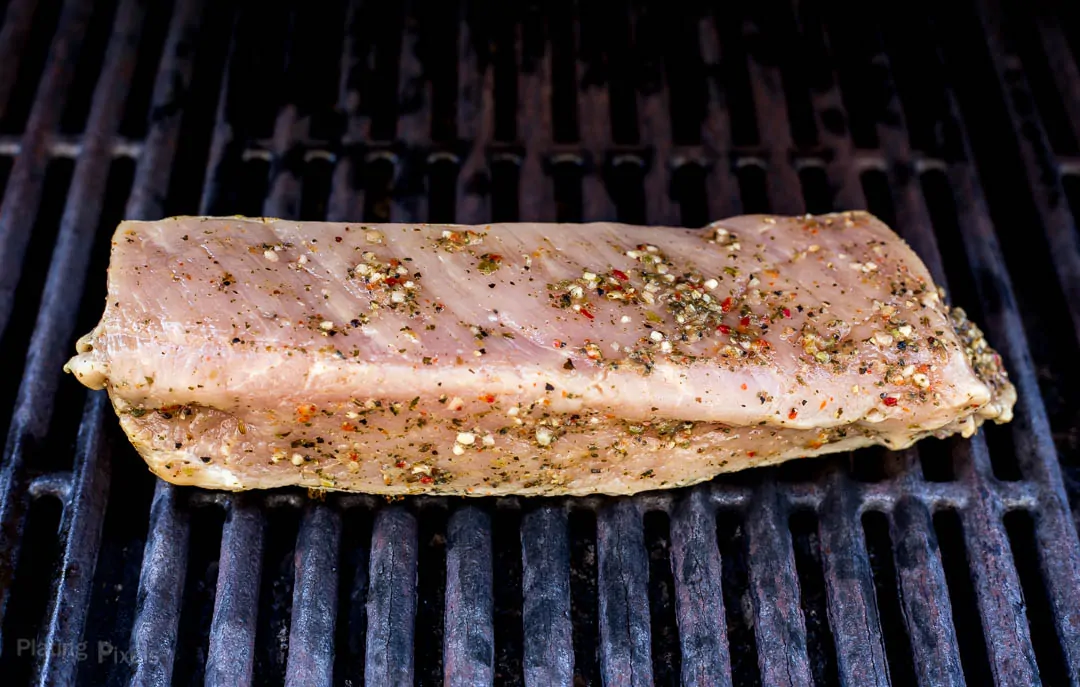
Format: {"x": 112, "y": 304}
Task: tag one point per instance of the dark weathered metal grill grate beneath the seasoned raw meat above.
{"x": 956, "y": 562}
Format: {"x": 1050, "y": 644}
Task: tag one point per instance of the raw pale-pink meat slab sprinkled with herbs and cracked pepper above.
{"x": 525, "y": 358}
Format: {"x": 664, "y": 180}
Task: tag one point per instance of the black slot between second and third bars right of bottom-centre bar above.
{"x": 738, "y": 607}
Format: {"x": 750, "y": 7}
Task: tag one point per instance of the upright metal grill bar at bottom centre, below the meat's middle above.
{"x": 546, "y": 590}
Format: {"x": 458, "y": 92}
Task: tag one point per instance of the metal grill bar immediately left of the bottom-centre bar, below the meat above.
{"x": 469, "y": 635}
